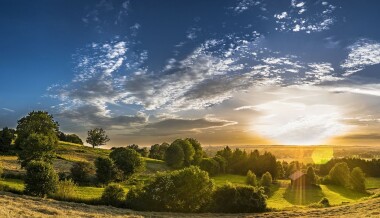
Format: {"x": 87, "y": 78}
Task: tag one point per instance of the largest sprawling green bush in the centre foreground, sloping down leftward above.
{"x": 186, "y": 190}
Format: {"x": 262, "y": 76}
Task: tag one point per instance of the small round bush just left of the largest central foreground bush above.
{"x": 113, "y": 195}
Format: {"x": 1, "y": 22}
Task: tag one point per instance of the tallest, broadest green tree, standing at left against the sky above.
{"x": 36, "y": 137}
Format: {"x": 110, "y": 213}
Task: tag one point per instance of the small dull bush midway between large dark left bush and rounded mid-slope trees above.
{"x": 81, "y": 172}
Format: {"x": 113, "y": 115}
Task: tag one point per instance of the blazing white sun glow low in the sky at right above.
{"x": 298, "y": 123}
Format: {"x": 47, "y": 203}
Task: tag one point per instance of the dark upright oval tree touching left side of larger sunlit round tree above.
{"x": 106, "y": 170}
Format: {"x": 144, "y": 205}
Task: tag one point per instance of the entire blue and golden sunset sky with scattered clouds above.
{"x": 237, "y": 72}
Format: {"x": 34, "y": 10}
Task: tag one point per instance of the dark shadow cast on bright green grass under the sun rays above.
{"x": 303, "y": 195}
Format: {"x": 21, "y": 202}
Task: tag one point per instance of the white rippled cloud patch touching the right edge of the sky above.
{"x": 362, "y": 53}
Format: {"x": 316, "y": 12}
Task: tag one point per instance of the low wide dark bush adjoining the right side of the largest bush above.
{"x": 239, "y": 199}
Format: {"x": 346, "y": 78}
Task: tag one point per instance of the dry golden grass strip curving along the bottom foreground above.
{"x": 13, "y": 206}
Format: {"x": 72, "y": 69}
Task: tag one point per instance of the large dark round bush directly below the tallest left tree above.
{"x": 40, "y": 179}
